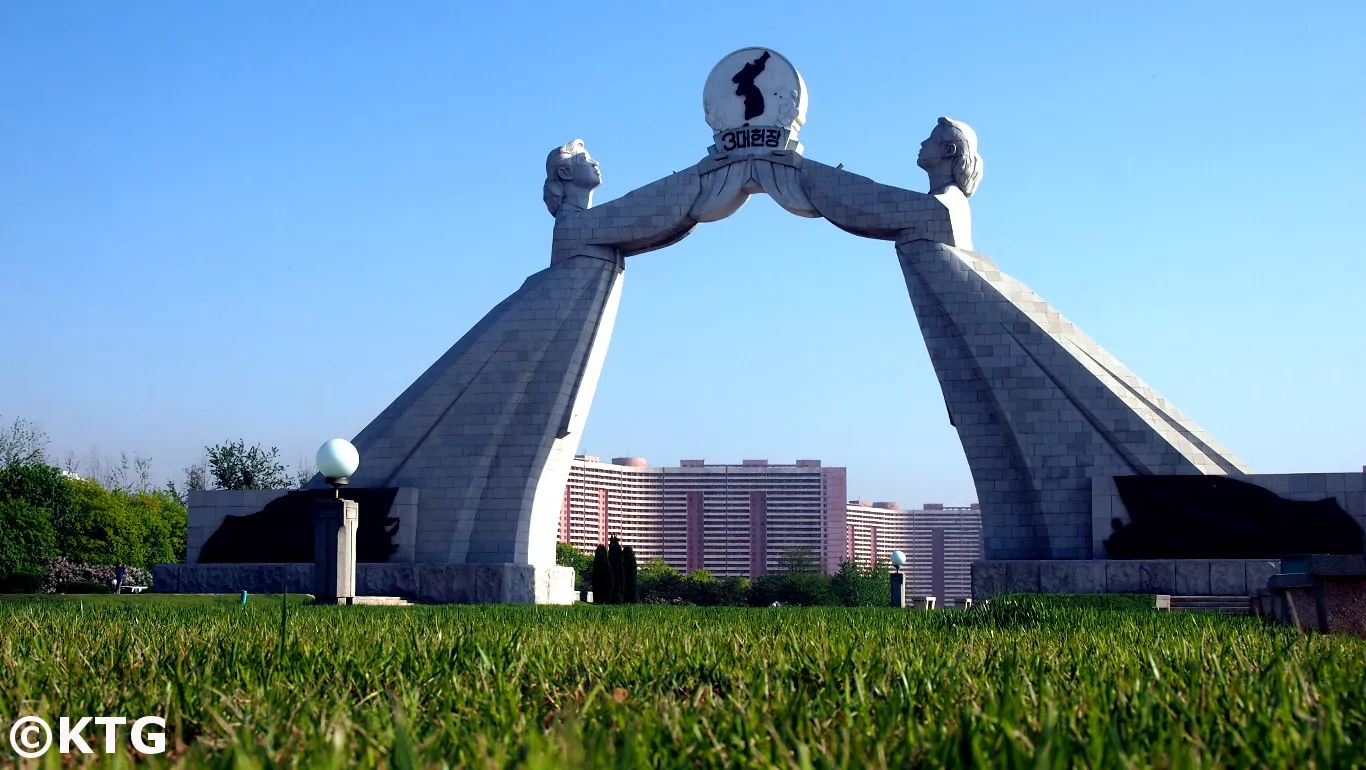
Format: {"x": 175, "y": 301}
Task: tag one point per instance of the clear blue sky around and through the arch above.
{"x": 264, "y": 220}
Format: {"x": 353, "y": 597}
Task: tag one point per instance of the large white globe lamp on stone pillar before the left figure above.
{"x": 335, "y": 524}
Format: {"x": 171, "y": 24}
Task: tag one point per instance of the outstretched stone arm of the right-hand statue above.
{"x": 857, "y": 204}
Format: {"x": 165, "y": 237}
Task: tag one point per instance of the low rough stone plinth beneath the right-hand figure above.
{"x": 1177, "y": 577}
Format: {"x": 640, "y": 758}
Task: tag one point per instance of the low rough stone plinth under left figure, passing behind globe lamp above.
{"x": 428, "y": 584}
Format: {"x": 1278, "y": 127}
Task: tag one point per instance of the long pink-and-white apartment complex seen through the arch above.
{"x": 741, "y": 519}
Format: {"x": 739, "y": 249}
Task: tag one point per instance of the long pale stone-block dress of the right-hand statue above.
{"x": 1042, "y": 410}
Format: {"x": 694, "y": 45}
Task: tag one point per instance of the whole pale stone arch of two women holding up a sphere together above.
{"x": 486, "y": 436}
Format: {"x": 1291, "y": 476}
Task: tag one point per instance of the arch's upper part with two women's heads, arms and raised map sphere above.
{"x": 756, "y": 104}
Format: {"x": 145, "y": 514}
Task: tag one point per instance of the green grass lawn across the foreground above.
{"x": 1024, "y": 682}
